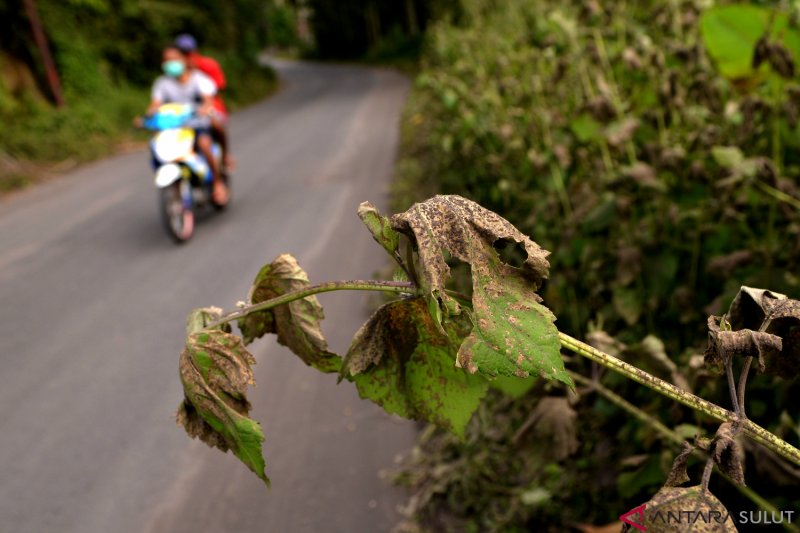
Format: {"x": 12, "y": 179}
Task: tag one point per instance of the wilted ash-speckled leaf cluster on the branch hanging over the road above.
{"x": 424, "y": 356}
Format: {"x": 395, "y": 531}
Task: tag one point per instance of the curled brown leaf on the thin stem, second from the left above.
{"x": 297, "y": 323}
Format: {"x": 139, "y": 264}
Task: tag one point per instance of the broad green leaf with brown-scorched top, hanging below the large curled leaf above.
{"x": 401, "y": 361}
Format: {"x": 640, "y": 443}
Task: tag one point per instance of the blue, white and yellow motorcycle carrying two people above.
{"x": 183, "y": 176}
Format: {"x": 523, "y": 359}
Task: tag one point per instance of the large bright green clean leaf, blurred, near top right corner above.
{"x": 730, "y": 34}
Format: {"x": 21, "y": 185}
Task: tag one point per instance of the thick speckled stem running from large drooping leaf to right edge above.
{"x": 752, "y": 430}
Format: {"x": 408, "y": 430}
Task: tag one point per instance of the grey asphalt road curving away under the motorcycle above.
{"x": 93, "y": 298}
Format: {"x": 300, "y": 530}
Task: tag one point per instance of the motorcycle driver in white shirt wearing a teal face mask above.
{"x": 182, "y": 85}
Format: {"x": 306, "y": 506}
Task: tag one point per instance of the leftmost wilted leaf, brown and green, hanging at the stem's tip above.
{"x": 215, "y": 370}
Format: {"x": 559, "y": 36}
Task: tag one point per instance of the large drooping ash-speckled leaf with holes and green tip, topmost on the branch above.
{"x": 513, "y": 334}
